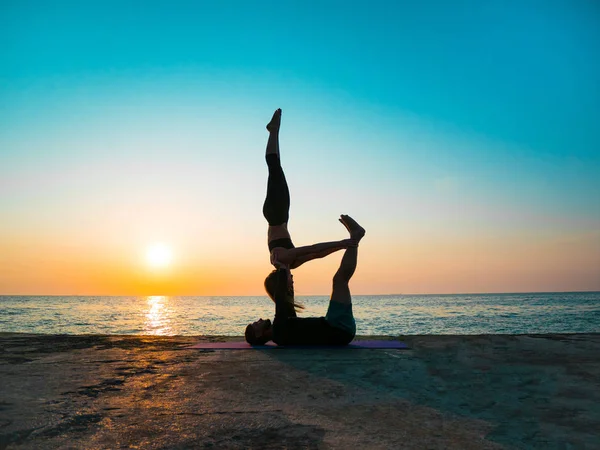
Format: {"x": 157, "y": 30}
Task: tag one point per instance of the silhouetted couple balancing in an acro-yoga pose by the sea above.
{"x": 338, "y": 327}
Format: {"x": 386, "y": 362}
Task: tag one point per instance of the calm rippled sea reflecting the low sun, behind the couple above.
{"x": 375, "y": 315}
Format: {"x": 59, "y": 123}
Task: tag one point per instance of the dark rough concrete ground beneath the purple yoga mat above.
{"x": 446, "y": 392}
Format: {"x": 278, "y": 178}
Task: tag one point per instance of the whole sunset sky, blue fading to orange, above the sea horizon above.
{"x": 462, "y": 135}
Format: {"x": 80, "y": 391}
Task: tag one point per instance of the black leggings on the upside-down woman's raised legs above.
{"x": 276, "y": 208}
